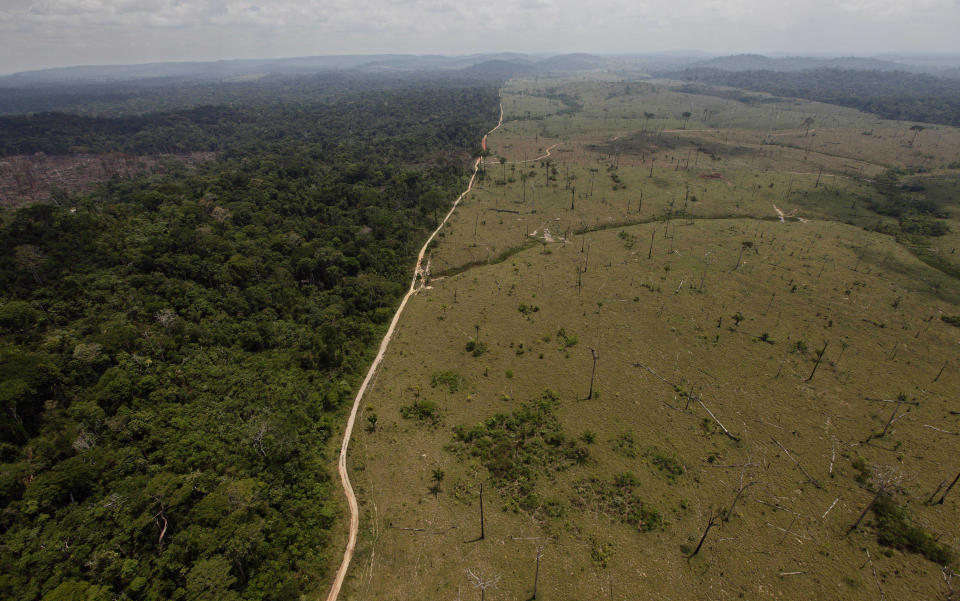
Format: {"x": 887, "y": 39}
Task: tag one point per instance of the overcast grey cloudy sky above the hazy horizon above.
{"x": 46, "y": 33}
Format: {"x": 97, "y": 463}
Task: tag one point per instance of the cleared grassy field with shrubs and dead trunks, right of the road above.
{"x": 673, "y": 292}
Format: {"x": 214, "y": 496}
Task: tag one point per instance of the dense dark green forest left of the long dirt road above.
{"x": 176, "y": 351}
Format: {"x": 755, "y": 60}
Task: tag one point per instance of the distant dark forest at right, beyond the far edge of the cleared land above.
{"x": 892, "y": 95}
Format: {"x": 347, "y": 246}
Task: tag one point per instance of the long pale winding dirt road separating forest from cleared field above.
{"x": 415, "y": 286}
